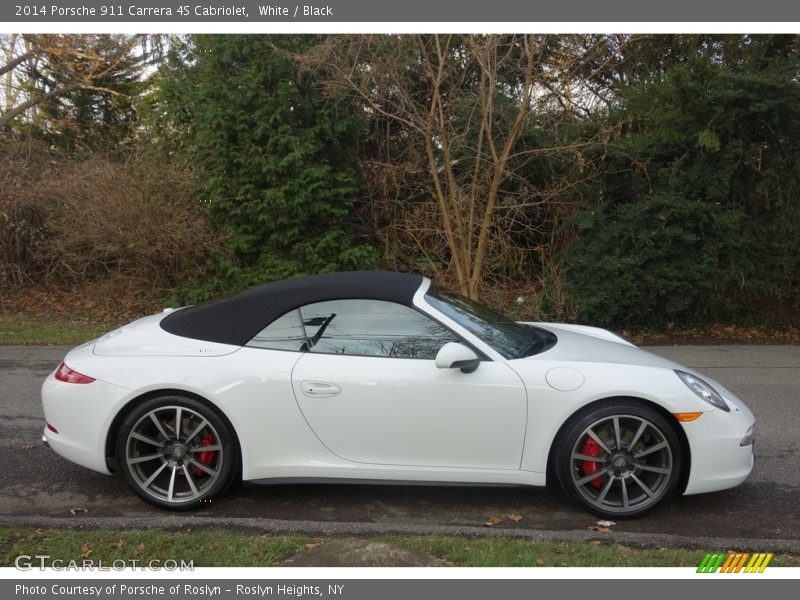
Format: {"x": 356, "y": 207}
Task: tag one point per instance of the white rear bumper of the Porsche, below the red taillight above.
{"x": 82, "y": 414}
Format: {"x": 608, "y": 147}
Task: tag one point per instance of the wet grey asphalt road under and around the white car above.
{"x": 39, "y": 488}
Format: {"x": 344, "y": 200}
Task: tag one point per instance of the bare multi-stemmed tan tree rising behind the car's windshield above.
{"x": 452, "y": 182}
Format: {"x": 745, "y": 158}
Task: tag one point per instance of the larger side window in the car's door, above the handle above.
{"x": 372, "y": 328}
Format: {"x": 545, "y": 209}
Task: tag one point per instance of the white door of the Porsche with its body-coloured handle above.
{"x": 407, "y": 408}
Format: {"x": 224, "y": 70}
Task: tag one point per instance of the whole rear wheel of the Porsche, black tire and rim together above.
{"x": 181, "y": 469}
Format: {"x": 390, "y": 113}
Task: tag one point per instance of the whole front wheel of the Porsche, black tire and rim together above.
{"x": 618, "y": 459}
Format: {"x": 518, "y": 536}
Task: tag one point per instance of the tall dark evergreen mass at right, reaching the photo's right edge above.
{"x": 696, "y": 215}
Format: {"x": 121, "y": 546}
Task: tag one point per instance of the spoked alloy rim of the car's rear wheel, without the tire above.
{"x": 174, "y": 454}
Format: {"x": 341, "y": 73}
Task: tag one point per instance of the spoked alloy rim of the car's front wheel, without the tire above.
{"x": 632, "y": 462}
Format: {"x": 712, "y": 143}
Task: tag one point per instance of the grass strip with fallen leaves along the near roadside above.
{"x": 222, "y": 548}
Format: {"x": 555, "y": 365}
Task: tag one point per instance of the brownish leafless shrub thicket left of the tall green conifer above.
{"x": 71, "y": 220}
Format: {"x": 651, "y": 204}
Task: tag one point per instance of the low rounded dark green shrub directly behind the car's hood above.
{"x": 653, "y": 261}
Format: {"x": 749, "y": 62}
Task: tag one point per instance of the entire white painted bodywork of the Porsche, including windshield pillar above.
{"x": 392, "y": 419}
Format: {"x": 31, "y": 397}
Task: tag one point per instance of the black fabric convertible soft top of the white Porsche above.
{"x": 237, "y": 319}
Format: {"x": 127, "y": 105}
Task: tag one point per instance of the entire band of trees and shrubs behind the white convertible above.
{"x": 648, "y": 180}
